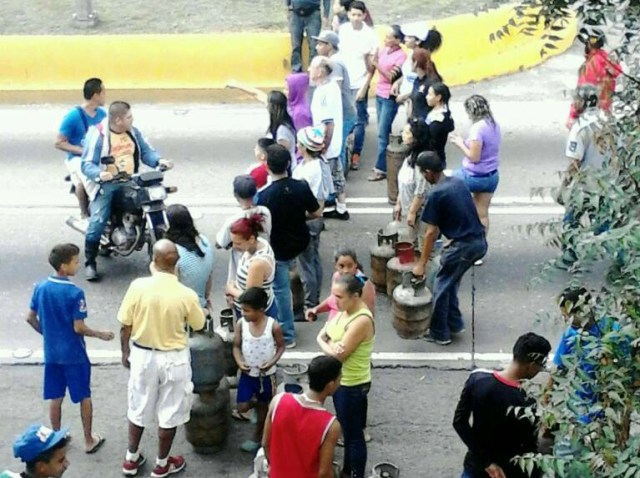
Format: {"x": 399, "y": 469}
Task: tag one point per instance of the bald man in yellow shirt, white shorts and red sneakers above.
{"x": 154, "y": 314}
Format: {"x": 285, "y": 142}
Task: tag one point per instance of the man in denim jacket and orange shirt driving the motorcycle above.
{"x": 117, "y": 138}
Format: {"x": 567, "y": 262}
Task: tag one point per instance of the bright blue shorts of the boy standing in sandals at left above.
{"x": 75, "y": 377}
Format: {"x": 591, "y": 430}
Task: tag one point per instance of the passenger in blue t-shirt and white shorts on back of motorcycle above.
{"x": 72, "y": 131}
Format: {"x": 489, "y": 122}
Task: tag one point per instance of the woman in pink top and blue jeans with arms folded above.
{"x": 388, "y": 63}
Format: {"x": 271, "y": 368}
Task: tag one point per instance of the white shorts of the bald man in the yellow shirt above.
{"x": 159, "y": 387}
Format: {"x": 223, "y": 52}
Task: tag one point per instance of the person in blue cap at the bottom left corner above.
{"x": 43, "y": 451}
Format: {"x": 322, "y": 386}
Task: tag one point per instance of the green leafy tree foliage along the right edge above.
{"x": 605, "y": 237}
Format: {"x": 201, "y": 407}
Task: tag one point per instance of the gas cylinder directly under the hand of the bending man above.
{"x": 411, "y": 307}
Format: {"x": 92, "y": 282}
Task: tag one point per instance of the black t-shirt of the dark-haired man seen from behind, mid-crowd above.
{"x": 288, "y": 200}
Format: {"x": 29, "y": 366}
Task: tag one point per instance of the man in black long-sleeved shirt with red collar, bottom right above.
{"x": 499, "y": 433}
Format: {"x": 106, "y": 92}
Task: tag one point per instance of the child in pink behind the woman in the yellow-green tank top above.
{"x": 346, "y": 262}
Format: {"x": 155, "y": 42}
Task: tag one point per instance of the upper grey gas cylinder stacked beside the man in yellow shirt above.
{"x": 207, "y": 358}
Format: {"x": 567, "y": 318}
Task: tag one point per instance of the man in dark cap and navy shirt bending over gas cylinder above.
{"x": 449, "y": 210}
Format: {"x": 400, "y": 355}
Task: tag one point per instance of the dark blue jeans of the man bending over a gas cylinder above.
{"x": 455, "y": 260}
